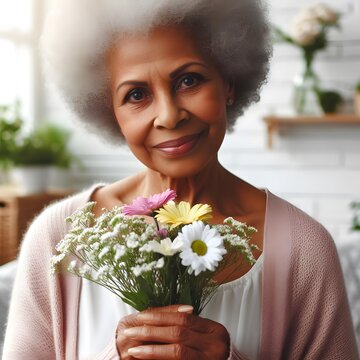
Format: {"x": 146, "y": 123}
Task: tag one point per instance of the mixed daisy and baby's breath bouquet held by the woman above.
{"x": 171, "y": 260}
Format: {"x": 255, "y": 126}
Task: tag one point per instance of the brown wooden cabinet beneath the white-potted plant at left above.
{"x": 16, "y": 212}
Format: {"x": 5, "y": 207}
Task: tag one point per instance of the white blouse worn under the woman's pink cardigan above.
{"x": 236, "y": 305}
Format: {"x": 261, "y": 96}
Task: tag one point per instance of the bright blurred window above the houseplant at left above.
{"x": 19, "y": 60}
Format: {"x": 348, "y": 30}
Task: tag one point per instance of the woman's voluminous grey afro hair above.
{"x": 77, "y": 34}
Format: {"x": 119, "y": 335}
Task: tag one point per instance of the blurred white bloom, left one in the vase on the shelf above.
{"x": 305, "y": 31}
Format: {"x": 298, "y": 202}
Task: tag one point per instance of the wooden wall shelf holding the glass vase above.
{"x": 274, "y": 123}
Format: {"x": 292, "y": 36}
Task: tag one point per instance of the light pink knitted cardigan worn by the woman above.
{"x": 305, "y": 311}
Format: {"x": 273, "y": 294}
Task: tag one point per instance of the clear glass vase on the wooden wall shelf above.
{"x": 305, "y": 100}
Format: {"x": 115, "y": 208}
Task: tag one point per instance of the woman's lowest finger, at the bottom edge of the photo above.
{"x": 169, "y": 352}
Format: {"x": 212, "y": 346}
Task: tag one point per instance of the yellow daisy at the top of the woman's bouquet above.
{"x": 182, "y": 213}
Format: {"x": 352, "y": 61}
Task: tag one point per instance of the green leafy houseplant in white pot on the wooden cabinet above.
{"x": 32, "y": 154}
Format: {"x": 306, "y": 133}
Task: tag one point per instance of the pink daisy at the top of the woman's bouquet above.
{"x": 146, "y": 206}
